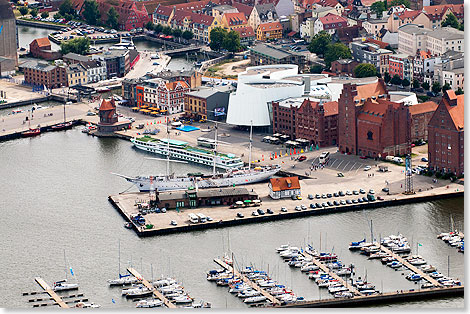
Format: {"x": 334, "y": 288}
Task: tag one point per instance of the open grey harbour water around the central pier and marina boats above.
{"x": 54, "y": 198}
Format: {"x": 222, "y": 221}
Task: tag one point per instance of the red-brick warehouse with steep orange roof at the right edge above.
{"x": 446, "y": 135}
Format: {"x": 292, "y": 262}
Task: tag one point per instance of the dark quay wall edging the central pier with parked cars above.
{"x": 288, "y": 215}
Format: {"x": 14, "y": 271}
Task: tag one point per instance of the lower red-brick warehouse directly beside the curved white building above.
{"x": 306, "y": 119}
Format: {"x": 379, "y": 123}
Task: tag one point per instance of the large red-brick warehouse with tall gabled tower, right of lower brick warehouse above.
{"x": 370, "y": 124}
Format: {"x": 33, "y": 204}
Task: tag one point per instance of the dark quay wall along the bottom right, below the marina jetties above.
{"x": 392, "y": 297}
